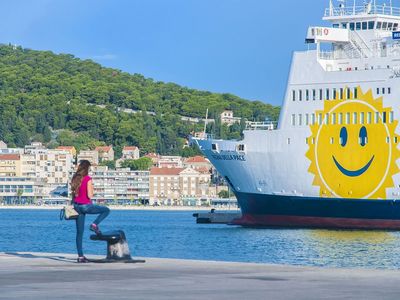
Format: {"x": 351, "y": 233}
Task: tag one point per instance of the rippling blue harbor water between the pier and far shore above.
{"x": 175, "y": 234}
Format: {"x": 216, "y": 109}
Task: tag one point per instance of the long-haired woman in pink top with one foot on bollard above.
{"x": 82, "y": 192}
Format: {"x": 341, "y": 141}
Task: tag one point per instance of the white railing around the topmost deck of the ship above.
{"x": 367, "y": 9}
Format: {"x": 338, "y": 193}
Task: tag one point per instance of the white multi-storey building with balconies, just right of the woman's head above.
{"x": 121, "y": 185}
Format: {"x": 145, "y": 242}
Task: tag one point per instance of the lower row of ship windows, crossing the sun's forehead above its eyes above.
{"x": 342, "y": 118}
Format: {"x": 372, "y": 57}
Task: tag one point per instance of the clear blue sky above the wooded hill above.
{"x": 242, "y": 47}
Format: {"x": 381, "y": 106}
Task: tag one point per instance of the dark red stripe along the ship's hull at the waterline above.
{"x": 316, "y": 222}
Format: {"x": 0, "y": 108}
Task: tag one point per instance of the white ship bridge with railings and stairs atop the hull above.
{"x": 370, "y": 30}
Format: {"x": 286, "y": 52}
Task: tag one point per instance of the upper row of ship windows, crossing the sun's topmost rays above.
{"x": 331, "y": 93}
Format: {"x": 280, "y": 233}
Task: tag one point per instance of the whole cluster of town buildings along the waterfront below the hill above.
{"x": 35, "y": 174}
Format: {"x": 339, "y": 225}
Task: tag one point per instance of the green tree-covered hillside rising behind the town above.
{"x": 45, "y": 97}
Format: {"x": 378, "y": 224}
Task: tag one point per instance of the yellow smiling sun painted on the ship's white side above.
{"x": 353, "y": 147}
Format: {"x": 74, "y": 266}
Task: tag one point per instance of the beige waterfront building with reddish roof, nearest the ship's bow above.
{"x": 177, "y": 186}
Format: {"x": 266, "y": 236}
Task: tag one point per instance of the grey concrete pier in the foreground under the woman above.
{"x": 57, "y": 276}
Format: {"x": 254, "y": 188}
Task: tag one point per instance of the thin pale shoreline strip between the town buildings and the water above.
{"x": 127, "y": 207}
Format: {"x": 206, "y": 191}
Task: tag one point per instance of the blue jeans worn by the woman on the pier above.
{"x": 90, "y": 209}
